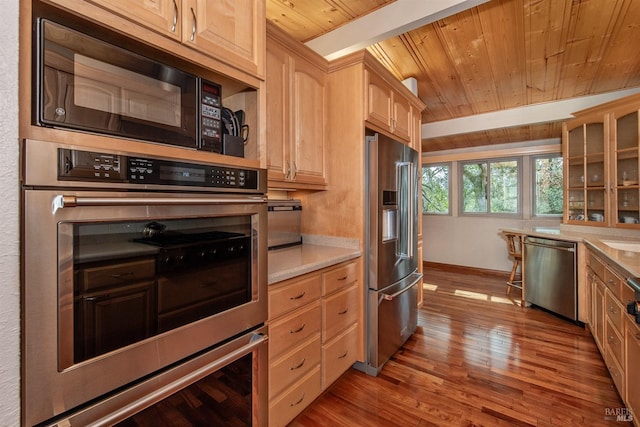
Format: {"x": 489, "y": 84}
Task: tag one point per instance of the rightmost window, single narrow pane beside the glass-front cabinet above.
{"x": 547, "y": 185}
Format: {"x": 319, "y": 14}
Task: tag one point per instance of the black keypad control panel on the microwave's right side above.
{"x": 210, "y": 117}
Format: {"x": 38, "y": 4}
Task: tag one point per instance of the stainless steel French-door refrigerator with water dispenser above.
{"x": 392, "y": 280}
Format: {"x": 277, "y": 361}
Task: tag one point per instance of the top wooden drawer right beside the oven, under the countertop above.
{"x": 291, "y": 295}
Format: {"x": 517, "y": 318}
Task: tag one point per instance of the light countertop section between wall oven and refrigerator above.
{"x": 294, "y": 261}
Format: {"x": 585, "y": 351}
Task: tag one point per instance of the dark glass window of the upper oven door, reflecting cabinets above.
{"x": 136, "y": 279}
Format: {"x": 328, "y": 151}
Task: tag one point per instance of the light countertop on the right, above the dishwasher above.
{"x": 627, "y": 260}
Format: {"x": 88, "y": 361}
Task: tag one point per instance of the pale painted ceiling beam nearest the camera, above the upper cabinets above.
{"x": 389, "y": 21}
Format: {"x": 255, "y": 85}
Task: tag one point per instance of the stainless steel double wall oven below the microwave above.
{"x": 141, "y": 277}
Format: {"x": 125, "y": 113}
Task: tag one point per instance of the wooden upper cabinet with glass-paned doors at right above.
{"x": 600, "y": 148}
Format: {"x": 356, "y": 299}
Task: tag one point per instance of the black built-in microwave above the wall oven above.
{"x": 89, "y": 84}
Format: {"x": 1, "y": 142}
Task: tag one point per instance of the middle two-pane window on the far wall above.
{"x": 491, "y": 187}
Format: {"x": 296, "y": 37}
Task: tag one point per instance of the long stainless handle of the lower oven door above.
{"x": 256, "y": 340}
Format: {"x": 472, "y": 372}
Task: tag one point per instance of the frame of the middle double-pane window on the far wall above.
{"x": 488, "y": 161}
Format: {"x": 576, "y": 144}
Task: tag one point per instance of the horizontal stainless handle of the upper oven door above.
{"x": 62, "y": 201}
